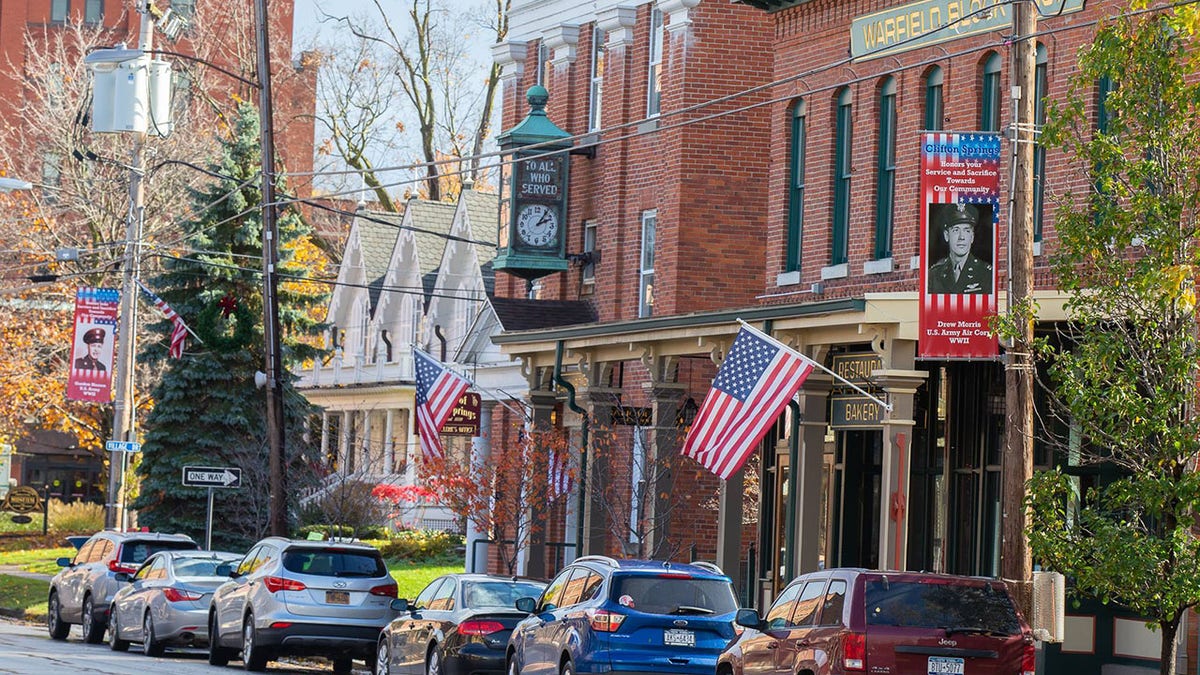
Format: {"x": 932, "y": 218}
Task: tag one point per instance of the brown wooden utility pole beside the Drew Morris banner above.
{"x": 1016, "y": 561}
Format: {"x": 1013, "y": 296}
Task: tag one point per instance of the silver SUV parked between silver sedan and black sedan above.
{"x": 302, "y": 598}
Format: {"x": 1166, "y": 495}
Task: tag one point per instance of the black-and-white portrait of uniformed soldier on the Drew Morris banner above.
{"x": 961, "y": 249}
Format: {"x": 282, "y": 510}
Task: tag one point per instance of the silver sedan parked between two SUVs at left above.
{"x": 166, "y": 602}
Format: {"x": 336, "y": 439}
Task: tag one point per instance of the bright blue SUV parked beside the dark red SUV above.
{"x": 628, "y": 617}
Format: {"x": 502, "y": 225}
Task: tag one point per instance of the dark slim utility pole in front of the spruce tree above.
{"x": 279, "y": 504}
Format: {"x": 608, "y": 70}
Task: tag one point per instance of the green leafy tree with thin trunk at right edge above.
{"x": 1124, "y": 369}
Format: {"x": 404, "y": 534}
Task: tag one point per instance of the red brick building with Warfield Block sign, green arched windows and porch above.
{"x": 799, "y": 212}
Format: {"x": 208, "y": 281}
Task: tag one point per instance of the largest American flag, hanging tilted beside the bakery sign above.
{"x": 754, "y": 384}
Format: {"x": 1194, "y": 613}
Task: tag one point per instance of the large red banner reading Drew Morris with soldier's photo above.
{"x": 959, "y": 236}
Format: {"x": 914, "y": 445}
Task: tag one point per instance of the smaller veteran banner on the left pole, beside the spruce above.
{"x": 95, "y": 334}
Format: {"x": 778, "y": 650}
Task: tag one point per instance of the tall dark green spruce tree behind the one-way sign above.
{"x": 208, "y": 410}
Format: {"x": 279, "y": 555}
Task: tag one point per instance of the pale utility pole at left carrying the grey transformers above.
{"x": 127, "y": 345}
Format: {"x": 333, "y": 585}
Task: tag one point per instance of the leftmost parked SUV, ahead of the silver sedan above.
{"x": 82, "y": 593}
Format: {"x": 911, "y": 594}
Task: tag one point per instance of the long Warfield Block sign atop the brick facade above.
{"x": 931, "y": 22}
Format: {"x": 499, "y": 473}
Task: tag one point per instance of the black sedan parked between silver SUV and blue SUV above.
{"x": 459, "y": 625}
